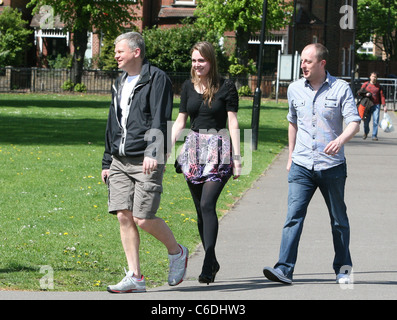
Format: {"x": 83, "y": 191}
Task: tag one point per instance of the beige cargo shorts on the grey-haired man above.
{"x": 130, "y": 189}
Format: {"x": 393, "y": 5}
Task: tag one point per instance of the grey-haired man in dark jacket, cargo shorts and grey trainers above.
{"x": 134, "y": 159}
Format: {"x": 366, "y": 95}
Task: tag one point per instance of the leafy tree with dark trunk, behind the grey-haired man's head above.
{"x": 83, "y": 16}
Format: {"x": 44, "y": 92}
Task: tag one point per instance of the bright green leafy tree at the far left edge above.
{"x": 13, "y": 37}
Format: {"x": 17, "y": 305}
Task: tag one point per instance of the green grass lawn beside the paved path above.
{"x": 54, "y": 205}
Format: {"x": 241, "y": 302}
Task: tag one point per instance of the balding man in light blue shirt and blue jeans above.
{"x": 318, "y": 105}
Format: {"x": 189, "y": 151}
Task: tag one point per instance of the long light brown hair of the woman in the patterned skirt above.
{"x": 207, "y": 51}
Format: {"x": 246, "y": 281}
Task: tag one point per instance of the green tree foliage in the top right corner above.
{"x": 377, "y": 23}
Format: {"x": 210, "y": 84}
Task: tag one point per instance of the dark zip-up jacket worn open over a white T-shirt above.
{"x": 145, "y": 133}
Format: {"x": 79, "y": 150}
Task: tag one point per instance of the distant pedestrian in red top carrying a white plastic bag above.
{"x": 374, "y": 92}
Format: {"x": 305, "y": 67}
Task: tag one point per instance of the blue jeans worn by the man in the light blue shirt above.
{"x": 302, "y": 185}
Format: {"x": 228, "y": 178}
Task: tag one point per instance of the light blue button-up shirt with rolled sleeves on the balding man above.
{"x": 319, "y": 117}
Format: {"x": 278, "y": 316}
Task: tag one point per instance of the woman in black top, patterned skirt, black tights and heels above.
{"x": 209, "y": 157}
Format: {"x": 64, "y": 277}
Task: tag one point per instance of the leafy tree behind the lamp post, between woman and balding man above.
{"x": 244, "y": 17}
